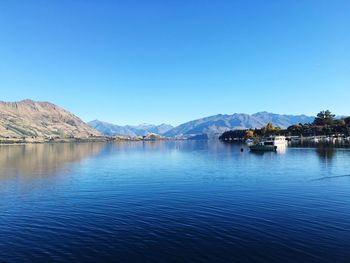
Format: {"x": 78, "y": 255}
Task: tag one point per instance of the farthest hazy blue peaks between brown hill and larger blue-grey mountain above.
{"x": 129, "y": 130}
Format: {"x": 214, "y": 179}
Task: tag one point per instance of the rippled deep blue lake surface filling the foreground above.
{"x": 175, "y": 201}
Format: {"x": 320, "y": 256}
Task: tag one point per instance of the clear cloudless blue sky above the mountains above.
{"x": 156, "y": 61}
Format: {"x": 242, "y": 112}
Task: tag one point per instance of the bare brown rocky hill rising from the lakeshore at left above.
{"x": 29, "y": 118}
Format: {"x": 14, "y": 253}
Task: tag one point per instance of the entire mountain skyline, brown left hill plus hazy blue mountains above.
{"x": 30, "y": 118}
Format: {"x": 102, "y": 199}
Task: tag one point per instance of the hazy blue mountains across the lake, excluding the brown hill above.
{"x": 210, "y": 126}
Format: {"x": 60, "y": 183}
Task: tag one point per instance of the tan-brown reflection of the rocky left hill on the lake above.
{"x": 43, "y": 158}
